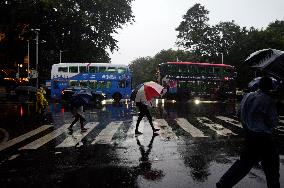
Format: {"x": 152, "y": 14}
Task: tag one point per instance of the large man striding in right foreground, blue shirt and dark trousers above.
{"x": 258, "y": 114}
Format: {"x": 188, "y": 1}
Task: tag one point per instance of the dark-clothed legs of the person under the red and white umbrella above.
{"x": 143, "y": 111}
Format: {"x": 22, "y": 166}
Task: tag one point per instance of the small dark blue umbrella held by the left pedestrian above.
{"x": 81, "y": 98}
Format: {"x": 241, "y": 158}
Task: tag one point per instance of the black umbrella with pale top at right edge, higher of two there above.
{"x": 270, "y": 61}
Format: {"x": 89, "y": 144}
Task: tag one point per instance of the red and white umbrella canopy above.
{"x": 147, "y": 91}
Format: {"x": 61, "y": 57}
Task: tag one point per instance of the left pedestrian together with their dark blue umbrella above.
{"x": 79, "y": 99}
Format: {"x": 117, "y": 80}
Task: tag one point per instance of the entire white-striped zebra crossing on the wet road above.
{"x": 106, "y": 134}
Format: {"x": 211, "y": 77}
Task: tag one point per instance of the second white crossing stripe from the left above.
{"x": 45, "y": 139}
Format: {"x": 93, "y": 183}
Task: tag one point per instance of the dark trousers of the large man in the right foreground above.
{"x": 258, "y": 147}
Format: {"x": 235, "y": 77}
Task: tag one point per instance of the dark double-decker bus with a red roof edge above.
{"x": 188, "y": 80}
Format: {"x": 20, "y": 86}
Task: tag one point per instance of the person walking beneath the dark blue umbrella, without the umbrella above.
{"x": 77, "y": 110}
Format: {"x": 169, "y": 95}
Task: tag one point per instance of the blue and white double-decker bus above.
{"x": 111, "y": 80}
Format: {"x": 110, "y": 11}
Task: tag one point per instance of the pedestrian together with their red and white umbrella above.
{"x": 142, "y": 96}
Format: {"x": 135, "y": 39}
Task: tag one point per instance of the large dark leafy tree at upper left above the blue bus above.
{"x": 83, "y": 29}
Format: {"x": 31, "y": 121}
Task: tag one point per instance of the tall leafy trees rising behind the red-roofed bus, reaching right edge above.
{"x": 227, "y": 38}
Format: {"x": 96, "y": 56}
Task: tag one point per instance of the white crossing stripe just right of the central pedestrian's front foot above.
{"x": 166, "y": 131}
